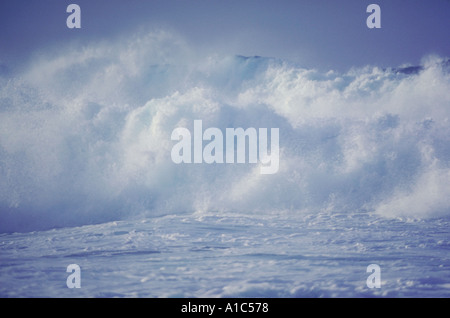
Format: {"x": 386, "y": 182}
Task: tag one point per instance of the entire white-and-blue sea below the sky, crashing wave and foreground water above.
{"x": 86, "y": 176}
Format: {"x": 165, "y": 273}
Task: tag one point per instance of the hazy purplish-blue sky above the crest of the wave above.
{"x": 319, "y": 34}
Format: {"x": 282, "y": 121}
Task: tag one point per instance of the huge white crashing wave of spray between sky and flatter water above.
{"x": 85, "y": 135}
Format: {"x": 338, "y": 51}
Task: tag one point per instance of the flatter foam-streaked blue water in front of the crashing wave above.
{"x": 231, "y": 255}
